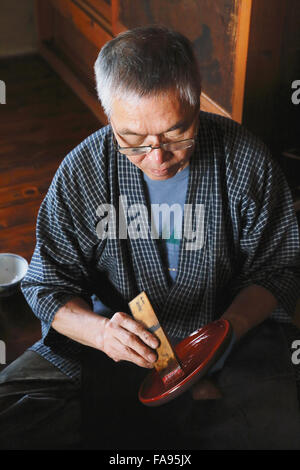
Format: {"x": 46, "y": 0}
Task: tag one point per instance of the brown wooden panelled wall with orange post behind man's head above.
{"x": 248, "y": 52}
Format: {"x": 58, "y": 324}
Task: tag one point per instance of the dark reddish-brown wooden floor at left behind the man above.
{"x": 41, "y": 122}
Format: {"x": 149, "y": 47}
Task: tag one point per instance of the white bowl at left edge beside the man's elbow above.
{"x": 13, "y": 269}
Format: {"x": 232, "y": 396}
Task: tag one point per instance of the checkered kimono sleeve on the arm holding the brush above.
{"x": 58, "y": 270}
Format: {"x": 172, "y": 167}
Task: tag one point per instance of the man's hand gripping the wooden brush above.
{"x": 124, "y": 339}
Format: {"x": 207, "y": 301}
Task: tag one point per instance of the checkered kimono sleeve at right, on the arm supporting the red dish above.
{"x": 269, "y": 240}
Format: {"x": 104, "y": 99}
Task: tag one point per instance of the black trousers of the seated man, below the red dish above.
{"x": 41, "y": 408}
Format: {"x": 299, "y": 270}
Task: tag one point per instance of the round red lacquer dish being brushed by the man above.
{"x": 197, "y": 354}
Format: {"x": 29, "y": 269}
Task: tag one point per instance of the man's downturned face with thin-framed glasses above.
{"x": 152, "y": 121}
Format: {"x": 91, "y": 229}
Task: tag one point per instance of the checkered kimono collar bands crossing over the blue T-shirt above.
{"x": 150, "y": 274}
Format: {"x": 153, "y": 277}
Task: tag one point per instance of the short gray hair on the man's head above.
{"x": 147, "y": 61}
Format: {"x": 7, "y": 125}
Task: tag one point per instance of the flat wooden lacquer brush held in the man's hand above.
{"x": 167, "y": 364}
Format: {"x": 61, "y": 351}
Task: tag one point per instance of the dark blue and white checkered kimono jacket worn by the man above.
{"x": 250, "y": 237}
